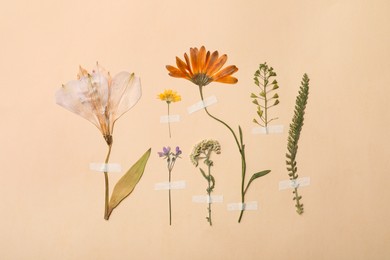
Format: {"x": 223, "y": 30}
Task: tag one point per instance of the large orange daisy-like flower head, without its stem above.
{"x": 202, "y": 67}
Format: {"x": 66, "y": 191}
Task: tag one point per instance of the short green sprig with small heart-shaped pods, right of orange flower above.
{"x": 265, "y": 99}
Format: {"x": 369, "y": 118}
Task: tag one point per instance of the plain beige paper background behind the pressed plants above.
{"x": 52, "y": 204}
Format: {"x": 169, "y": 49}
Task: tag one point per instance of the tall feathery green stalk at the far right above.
{"x": 293, "y": 138}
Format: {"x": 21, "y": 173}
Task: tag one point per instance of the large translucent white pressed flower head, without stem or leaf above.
{"x": 99, "y": 98}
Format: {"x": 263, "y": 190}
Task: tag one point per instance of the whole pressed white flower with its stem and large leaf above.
{"x": 103, "y": 99}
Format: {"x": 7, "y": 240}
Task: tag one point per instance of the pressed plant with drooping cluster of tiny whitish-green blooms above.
{"x": 203, "y": 151}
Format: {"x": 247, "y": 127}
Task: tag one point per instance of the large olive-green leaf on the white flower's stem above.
{"x": 129, "y": 180}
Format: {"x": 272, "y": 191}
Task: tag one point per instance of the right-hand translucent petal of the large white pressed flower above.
{"x": 125, "y": 93}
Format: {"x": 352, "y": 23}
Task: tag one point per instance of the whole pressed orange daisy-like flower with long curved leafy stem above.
{"x": 202, "y": 68}
